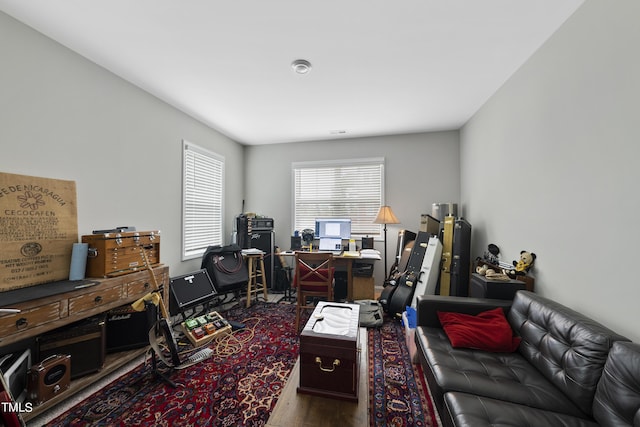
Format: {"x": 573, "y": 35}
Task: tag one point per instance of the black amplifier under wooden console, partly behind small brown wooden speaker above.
{"x": 84, "y": 341}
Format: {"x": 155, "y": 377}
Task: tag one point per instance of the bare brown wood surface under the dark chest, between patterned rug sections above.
{"x": 296, "y": 409}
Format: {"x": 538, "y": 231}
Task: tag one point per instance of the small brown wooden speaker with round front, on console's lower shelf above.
{"x": 49, "y": 378}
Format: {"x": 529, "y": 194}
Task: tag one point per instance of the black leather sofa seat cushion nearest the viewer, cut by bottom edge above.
{"x": 466, "y": 410}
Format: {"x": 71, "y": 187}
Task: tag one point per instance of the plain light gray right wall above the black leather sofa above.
{"x": 549, "y": 165}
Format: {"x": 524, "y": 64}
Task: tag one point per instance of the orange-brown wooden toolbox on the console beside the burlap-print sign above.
{"x": 113, "y": 254}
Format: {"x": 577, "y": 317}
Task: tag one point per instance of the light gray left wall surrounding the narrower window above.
{"x": 63, "y": 117}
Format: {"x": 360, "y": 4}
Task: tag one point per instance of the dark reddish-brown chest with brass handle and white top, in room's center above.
{"x": 329, "y": 352}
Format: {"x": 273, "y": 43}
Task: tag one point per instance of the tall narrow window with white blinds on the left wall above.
{"x": 191, "y": 249}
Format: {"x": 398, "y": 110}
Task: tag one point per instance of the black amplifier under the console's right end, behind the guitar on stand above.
{"x": 127, "y": 329}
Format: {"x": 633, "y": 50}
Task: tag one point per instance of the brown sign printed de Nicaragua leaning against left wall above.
{"x": 38, "y": 227}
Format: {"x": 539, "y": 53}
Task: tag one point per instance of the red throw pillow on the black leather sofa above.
{"x": 489, "y": 331}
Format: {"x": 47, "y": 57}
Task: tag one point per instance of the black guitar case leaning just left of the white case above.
{"x": 405, "y": 288}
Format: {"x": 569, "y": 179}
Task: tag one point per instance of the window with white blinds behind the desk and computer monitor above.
{"x": 339, "y": 189}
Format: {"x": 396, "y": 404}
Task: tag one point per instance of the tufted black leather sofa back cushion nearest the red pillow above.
{"x": 568, "y": 348}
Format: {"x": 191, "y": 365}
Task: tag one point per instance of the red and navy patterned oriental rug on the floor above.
{"x": 240, "y": 384}
